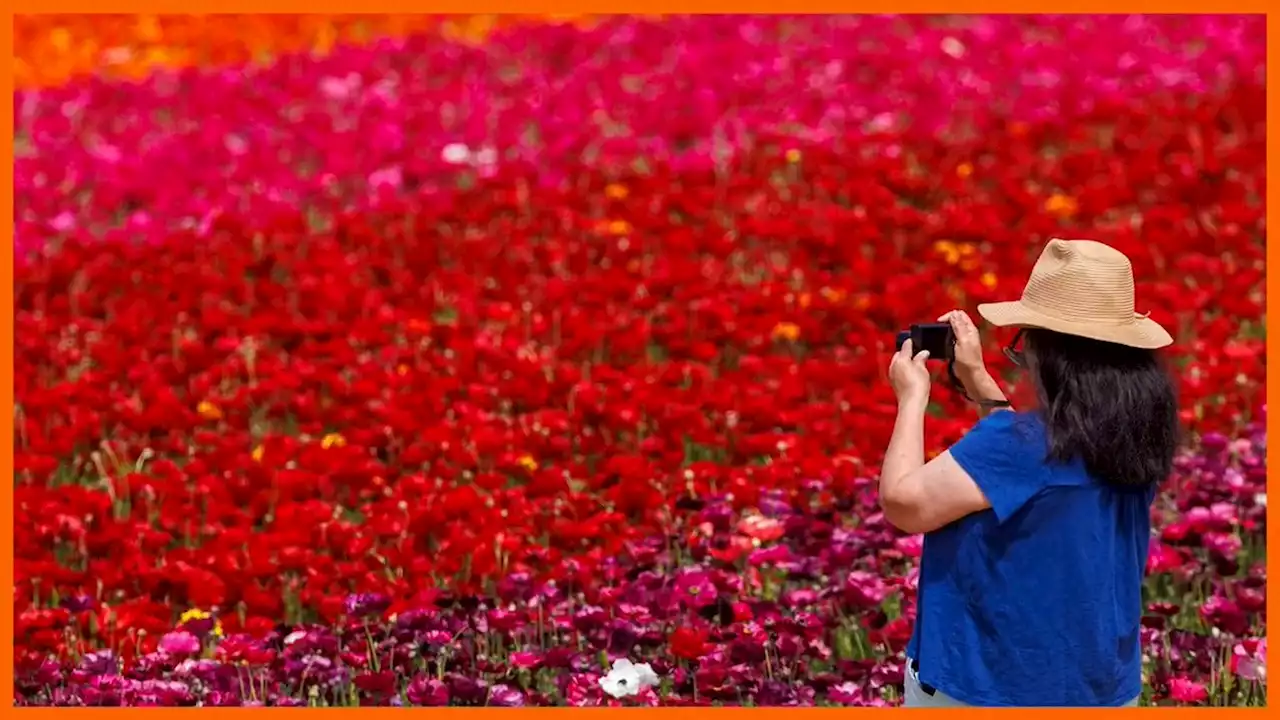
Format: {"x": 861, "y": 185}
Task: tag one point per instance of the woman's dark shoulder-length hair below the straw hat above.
{"x": 1116, "y": 408}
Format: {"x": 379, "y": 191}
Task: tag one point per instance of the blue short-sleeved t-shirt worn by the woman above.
{"x": 1039, "y": 600}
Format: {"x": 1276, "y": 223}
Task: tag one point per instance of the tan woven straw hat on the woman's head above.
{"x": 1085, "y": 289}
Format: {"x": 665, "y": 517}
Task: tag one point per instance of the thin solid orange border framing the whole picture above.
{"x": 816, "y": 7}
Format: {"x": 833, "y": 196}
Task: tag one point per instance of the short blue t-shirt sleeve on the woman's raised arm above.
{"x": 1005, "y": 459}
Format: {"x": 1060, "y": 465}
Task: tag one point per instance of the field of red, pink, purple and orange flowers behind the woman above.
{"x": 454, "y": 362}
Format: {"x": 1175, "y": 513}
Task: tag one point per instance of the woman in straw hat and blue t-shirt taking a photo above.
{"x": 1036, "y": 523}
